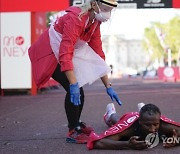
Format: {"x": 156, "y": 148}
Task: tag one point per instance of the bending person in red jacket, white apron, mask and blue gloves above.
{"x": 70, "y": 52}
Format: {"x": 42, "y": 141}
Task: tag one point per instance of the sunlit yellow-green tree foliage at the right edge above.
{"x": 170, "y": 34}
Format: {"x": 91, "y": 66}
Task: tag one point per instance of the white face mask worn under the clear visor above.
{"x": 102, "y": 16}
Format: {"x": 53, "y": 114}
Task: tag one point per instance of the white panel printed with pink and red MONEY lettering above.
{"x": 15, "y": 41}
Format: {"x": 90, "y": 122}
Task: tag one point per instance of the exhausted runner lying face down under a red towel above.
{"x": 136, "y": 130}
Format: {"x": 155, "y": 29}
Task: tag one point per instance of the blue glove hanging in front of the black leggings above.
{"x": 75, "y": 94}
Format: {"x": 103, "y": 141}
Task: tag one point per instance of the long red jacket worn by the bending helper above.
{"x": 72, "y": 28}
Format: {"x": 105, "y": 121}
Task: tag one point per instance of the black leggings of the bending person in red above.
{"x": 73, "y": 112}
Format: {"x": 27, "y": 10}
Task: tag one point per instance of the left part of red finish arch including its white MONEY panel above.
{"x": 22, "y": 21}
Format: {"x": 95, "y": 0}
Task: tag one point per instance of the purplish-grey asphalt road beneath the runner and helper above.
{"x": 38, "y": 125}
